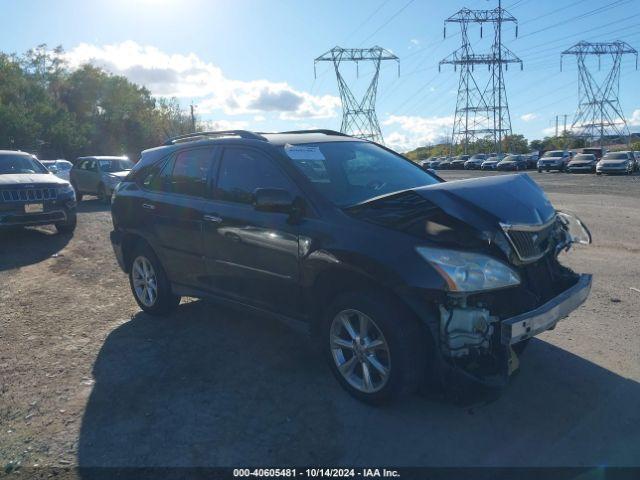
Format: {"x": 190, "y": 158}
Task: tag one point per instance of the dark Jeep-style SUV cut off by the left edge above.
{"x": 31, "y": 195}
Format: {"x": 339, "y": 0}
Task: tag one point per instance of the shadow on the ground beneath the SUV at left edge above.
{"x": 21, "y": 246}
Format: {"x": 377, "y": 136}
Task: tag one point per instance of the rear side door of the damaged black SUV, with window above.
{"x": 172, "y": 209}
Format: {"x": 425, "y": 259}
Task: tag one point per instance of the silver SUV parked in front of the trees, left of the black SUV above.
{"x": 98, "y": 175}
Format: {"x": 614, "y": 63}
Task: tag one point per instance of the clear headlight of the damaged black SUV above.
{"x": 469, "y": 272}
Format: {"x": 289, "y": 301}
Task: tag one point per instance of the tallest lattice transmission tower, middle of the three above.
{"x": 482, "y": 111}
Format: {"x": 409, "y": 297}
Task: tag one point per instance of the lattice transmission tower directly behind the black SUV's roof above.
{"x": 358, "y": 117}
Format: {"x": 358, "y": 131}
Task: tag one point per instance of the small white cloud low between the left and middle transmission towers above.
{"x": 413, "y": 131}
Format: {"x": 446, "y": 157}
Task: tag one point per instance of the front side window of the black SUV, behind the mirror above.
{"x": 244, "y": 170}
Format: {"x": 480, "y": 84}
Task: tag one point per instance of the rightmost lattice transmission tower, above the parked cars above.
{"x": 599, "y": 113}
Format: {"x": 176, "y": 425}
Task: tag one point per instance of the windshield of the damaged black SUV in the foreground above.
{"x": 348, "y": 173}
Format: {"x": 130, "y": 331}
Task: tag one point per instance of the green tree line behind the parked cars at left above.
{"x": 53, "y": 111}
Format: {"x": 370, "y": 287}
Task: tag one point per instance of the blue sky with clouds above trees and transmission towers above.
{"x": 250, "y": 63}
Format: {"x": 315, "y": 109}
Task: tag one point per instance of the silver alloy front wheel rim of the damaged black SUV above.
{"x": 360, "y": 351}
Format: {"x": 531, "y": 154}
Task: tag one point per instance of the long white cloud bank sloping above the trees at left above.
{"x": 188, "y": 76}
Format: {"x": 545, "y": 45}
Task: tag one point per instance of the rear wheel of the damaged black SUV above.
{"x": 149, "y": 283}
